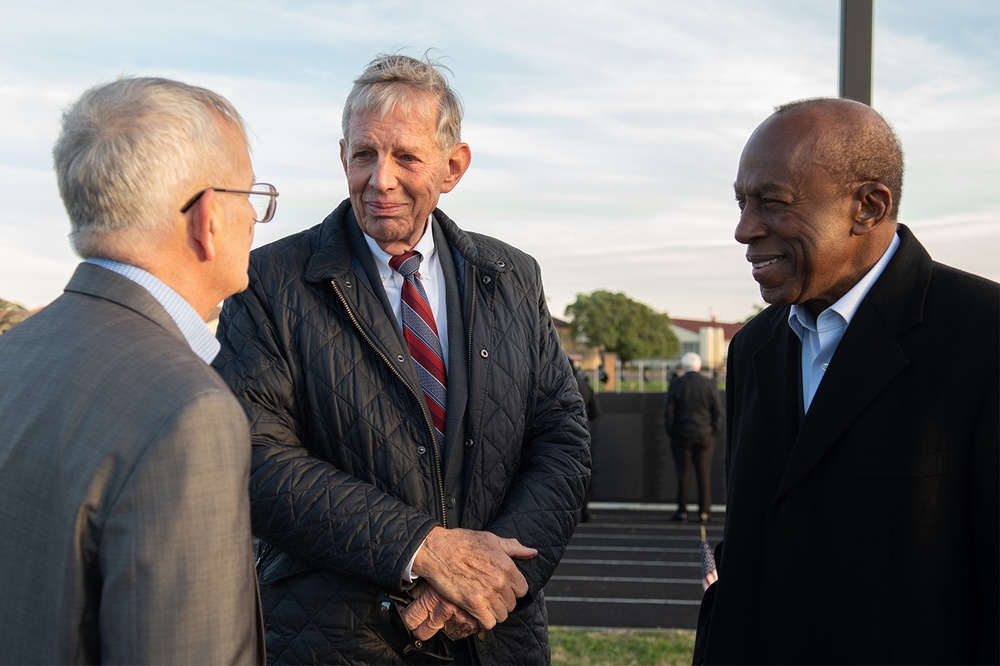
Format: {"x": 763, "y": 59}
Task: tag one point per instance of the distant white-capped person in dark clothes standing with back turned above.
{"x": 692, "y": 412}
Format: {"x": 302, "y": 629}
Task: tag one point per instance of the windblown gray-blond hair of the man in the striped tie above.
{"x": 392, "y": 80}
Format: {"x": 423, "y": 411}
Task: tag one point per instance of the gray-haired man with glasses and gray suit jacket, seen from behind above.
{"x": 125, "y": 459}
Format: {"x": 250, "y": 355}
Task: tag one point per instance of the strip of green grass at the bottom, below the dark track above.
{"x": 639, "y": 647}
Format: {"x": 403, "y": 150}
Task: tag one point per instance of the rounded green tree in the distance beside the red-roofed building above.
{"x": 613, "y": 322}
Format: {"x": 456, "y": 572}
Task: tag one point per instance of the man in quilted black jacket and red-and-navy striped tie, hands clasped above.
{"x": 392, "y": 531}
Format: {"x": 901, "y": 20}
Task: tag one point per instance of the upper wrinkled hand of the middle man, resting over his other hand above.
{"x": 475, "y": 571}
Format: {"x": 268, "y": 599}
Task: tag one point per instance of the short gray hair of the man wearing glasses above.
{"x": 129, "y": 151}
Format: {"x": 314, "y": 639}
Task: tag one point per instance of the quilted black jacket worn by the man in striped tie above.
{"x": 347, "y": 477}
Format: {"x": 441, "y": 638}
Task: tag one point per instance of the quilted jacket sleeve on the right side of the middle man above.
{"x": 546, "y": 495}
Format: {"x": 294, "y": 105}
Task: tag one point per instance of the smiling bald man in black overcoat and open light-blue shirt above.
{"x": 862, "y": 471}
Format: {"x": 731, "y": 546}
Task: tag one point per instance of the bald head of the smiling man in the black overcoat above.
{"x": 817, "y": 186}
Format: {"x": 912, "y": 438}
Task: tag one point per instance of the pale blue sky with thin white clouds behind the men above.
{"x": 605, "y": 135}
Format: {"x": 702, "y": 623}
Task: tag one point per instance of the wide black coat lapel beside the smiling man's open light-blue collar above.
{"x": 867, "y": 359}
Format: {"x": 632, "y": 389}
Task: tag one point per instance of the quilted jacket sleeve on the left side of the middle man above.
{"x": 301, "y": 504}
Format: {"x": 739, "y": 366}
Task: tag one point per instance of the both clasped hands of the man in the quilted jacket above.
{"x": 468, "y": 582}
